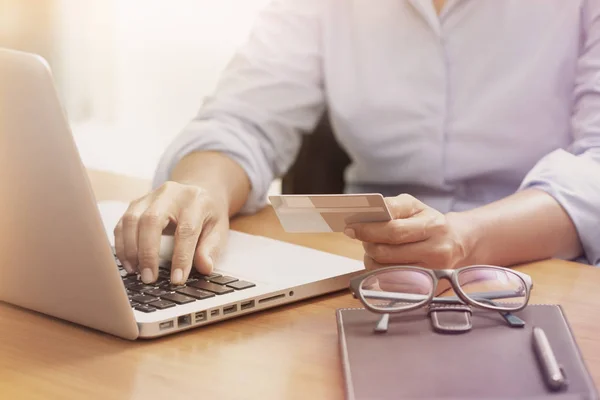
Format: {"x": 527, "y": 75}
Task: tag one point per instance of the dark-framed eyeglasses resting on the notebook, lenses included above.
{"x": 403, "y": 288}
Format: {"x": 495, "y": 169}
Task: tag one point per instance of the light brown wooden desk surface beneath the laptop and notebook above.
{"x": 285, "y": 353}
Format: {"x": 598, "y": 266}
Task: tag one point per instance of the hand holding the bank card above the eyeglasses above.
{"x": 417, "y": 235}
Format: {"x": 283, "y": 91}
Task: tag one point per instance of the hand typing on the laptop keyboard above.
{"x": 198, "y": 219}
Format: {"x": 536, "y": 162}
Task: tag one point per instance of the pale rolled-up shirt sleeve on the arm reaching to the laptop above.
{"x": 270, "y": 94}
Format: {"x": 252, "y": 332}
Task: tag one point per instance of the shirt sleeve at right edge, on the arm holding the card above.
{"x": 572, "y": 176}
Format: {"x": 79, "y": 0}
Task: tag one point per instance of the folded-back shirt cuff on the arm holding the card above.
{"x": 574, "y": 183}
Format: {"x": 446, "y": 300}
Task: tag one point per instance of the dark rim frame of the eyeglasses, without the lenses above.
{"x": 437, "y": 274}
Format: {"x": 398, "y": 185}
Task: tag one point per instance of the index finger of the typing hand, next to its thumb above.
{"x": 187, "y": 233}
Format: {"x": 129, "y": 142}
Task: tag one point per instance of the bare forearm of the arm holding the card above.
{"x": 527, "y": 226}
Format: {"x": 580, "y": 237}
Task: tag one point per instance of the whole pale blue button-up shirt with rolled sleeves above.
{"x": 491, "y": 97}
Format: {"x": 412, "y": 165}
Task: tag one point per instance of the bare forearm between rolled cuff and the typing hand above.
{"x": 216, "y": 173}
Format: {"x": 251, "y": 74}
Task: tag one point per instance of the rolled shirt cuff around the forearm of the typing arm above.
{"x": 214, "y": 136}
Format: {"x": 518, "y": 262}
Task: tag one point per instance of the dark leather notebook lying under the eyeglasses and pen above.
{"x": 413, "y": 360}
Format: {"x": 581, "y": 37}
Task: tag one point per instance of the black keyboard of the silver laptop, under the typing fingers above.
{"x": 162, "y": 294}
